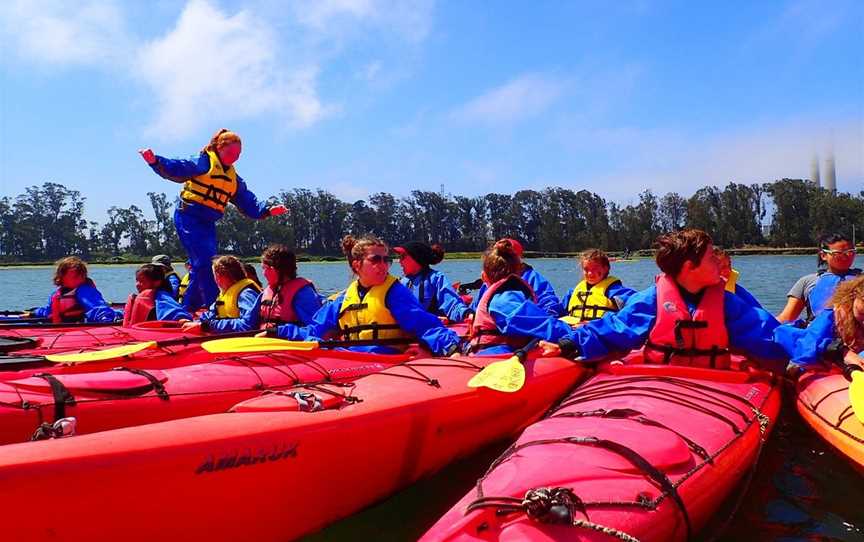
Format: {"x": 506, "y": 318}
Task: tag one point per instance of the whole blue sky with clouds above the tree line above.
{"x": 360, "y": 96}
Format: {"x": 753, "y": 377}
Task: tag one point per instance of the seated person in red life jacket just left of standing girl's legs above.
{"x": 154, "y": 300}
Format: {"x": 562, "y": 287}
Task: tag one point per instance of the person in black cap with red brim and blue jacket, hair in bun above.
{"x": 431, "y": 287}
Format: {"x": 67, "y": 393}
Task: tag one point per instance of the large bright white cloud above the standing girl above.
{"x": 212, "y": 66}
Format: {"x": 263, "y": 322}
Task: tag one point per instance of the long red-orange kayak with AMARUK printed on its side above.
{"x": 266, "y": 471}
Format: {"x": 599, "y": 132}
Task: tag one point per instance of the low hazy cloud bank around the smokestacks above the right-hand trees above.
{"x": 759, "y": 152}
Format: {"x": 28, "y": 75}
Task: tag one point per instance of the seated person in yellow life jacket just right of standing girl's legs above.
{"x": 236, "y": 308}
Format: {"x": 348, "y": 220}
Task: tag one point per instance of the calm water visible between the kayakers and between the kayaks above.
{"x": 801, "y": 491}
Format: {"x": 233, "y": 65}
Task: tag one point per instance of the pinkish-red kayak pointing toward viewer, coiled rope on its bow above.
{"x": 638, "y": 452}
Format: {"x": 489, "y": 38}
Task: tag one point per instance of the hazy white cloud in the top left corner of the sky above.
{"x": 87, "y": 32}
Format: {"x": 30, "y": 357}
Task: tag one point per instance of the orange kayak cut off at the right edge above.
{"x": 823, "y": 402}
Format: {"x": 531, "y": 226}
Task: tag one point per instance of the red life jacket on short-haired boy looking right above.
{"x": 677, "y": 338}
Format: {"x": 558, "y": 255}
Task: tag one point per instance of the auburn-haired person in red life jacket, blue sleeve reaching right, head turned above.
{"x": 508, "y": 315}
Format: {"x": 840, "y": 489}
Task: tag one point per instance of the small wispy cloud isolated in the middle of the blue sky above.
{"x": 524, "y": 97}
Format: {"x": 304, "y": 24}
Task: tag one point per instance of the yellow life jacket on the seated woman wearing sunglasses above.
{"x": 368, "y": 317}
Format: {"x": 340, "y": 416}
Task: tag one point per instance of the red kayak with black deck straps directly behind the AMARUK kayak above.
{"x": 33, "y": 405}
